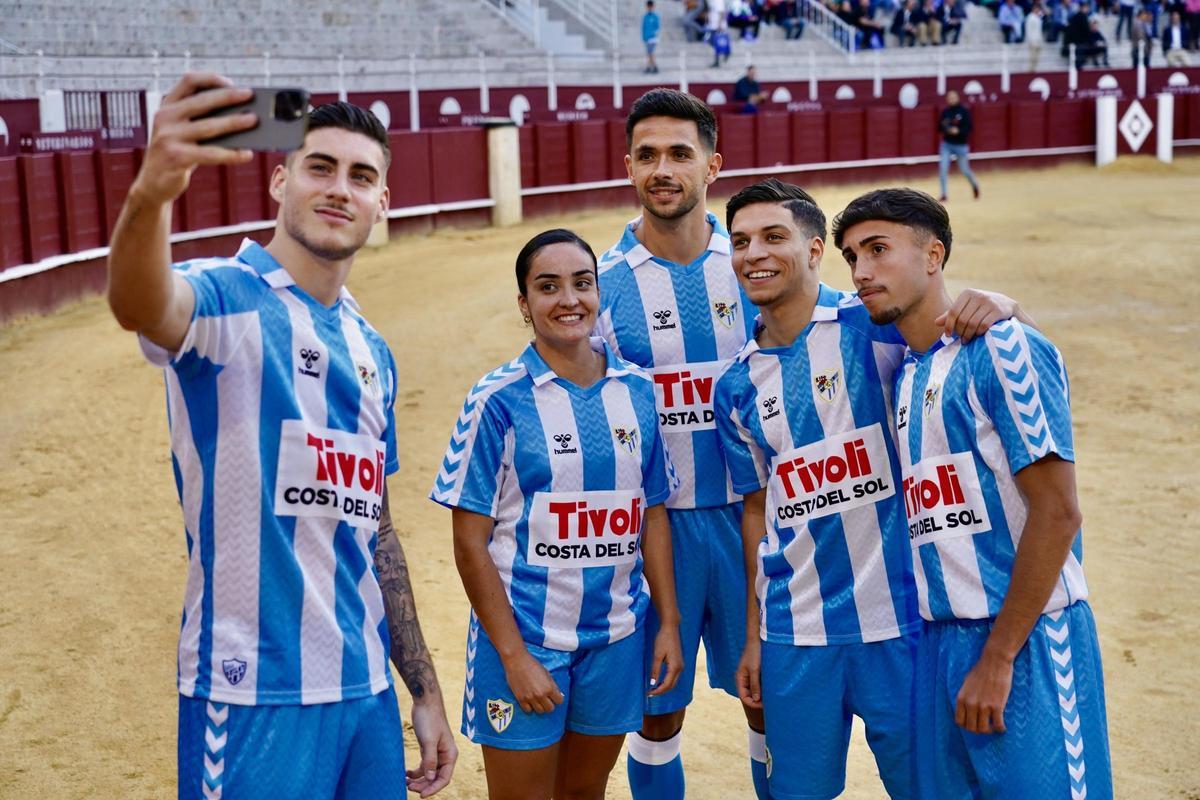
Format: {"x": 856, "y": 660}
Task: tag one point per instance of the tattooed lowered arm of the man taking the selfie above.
{"x": 413, "y": 663}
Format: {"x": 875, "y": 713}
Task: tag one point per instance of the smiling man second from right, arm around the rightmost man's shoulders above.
{"x": 832, "y": 617}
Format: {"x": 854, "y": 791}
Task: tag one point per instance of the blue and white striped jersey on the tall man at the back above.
{"x": 682, "y": 323}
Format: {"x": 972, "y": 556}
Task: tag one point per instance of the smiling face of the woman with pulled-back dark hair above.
{"x": 561, "y": 297}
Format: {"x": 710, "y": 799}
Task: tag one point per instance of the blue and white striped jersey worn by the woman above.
{"x": 567, "y": 474}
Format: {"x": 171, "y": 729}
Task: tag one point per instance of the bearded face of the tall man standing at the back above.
{"x": 670, "y": 167}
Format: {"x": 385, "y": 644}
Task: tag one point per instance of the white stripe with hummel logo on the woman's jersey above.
{"x": 565, "y": 588}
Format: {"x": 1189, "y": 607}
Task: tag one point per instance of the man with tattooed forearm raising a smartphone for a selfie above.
{"x": 280, "y": 401}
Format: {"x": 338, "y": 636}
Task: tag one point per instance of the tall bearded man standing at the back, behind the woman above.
{"x": 670, "y": 303}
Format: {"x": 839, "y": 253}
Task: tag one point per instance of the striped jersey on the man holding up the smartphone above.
{"x": 283, "y": 432}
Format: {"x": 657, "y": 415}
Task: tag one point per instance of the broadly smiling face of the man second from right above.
{"x": 776, "y": 261}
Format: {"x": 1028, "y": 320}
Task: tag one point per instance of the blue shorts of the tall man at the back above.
{"x": 711, "y": 590}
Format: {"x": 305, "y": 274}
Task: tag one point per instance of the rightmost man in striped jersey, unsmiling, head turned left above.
{"x": 1010, "y": 689}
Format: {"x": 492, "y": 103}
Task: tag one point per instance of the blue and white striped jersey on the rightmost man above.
{"x": 970, "y": 417}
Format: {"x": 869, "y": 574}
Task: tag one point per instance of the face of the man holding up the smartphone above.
{"x": 332, "y": 193}
